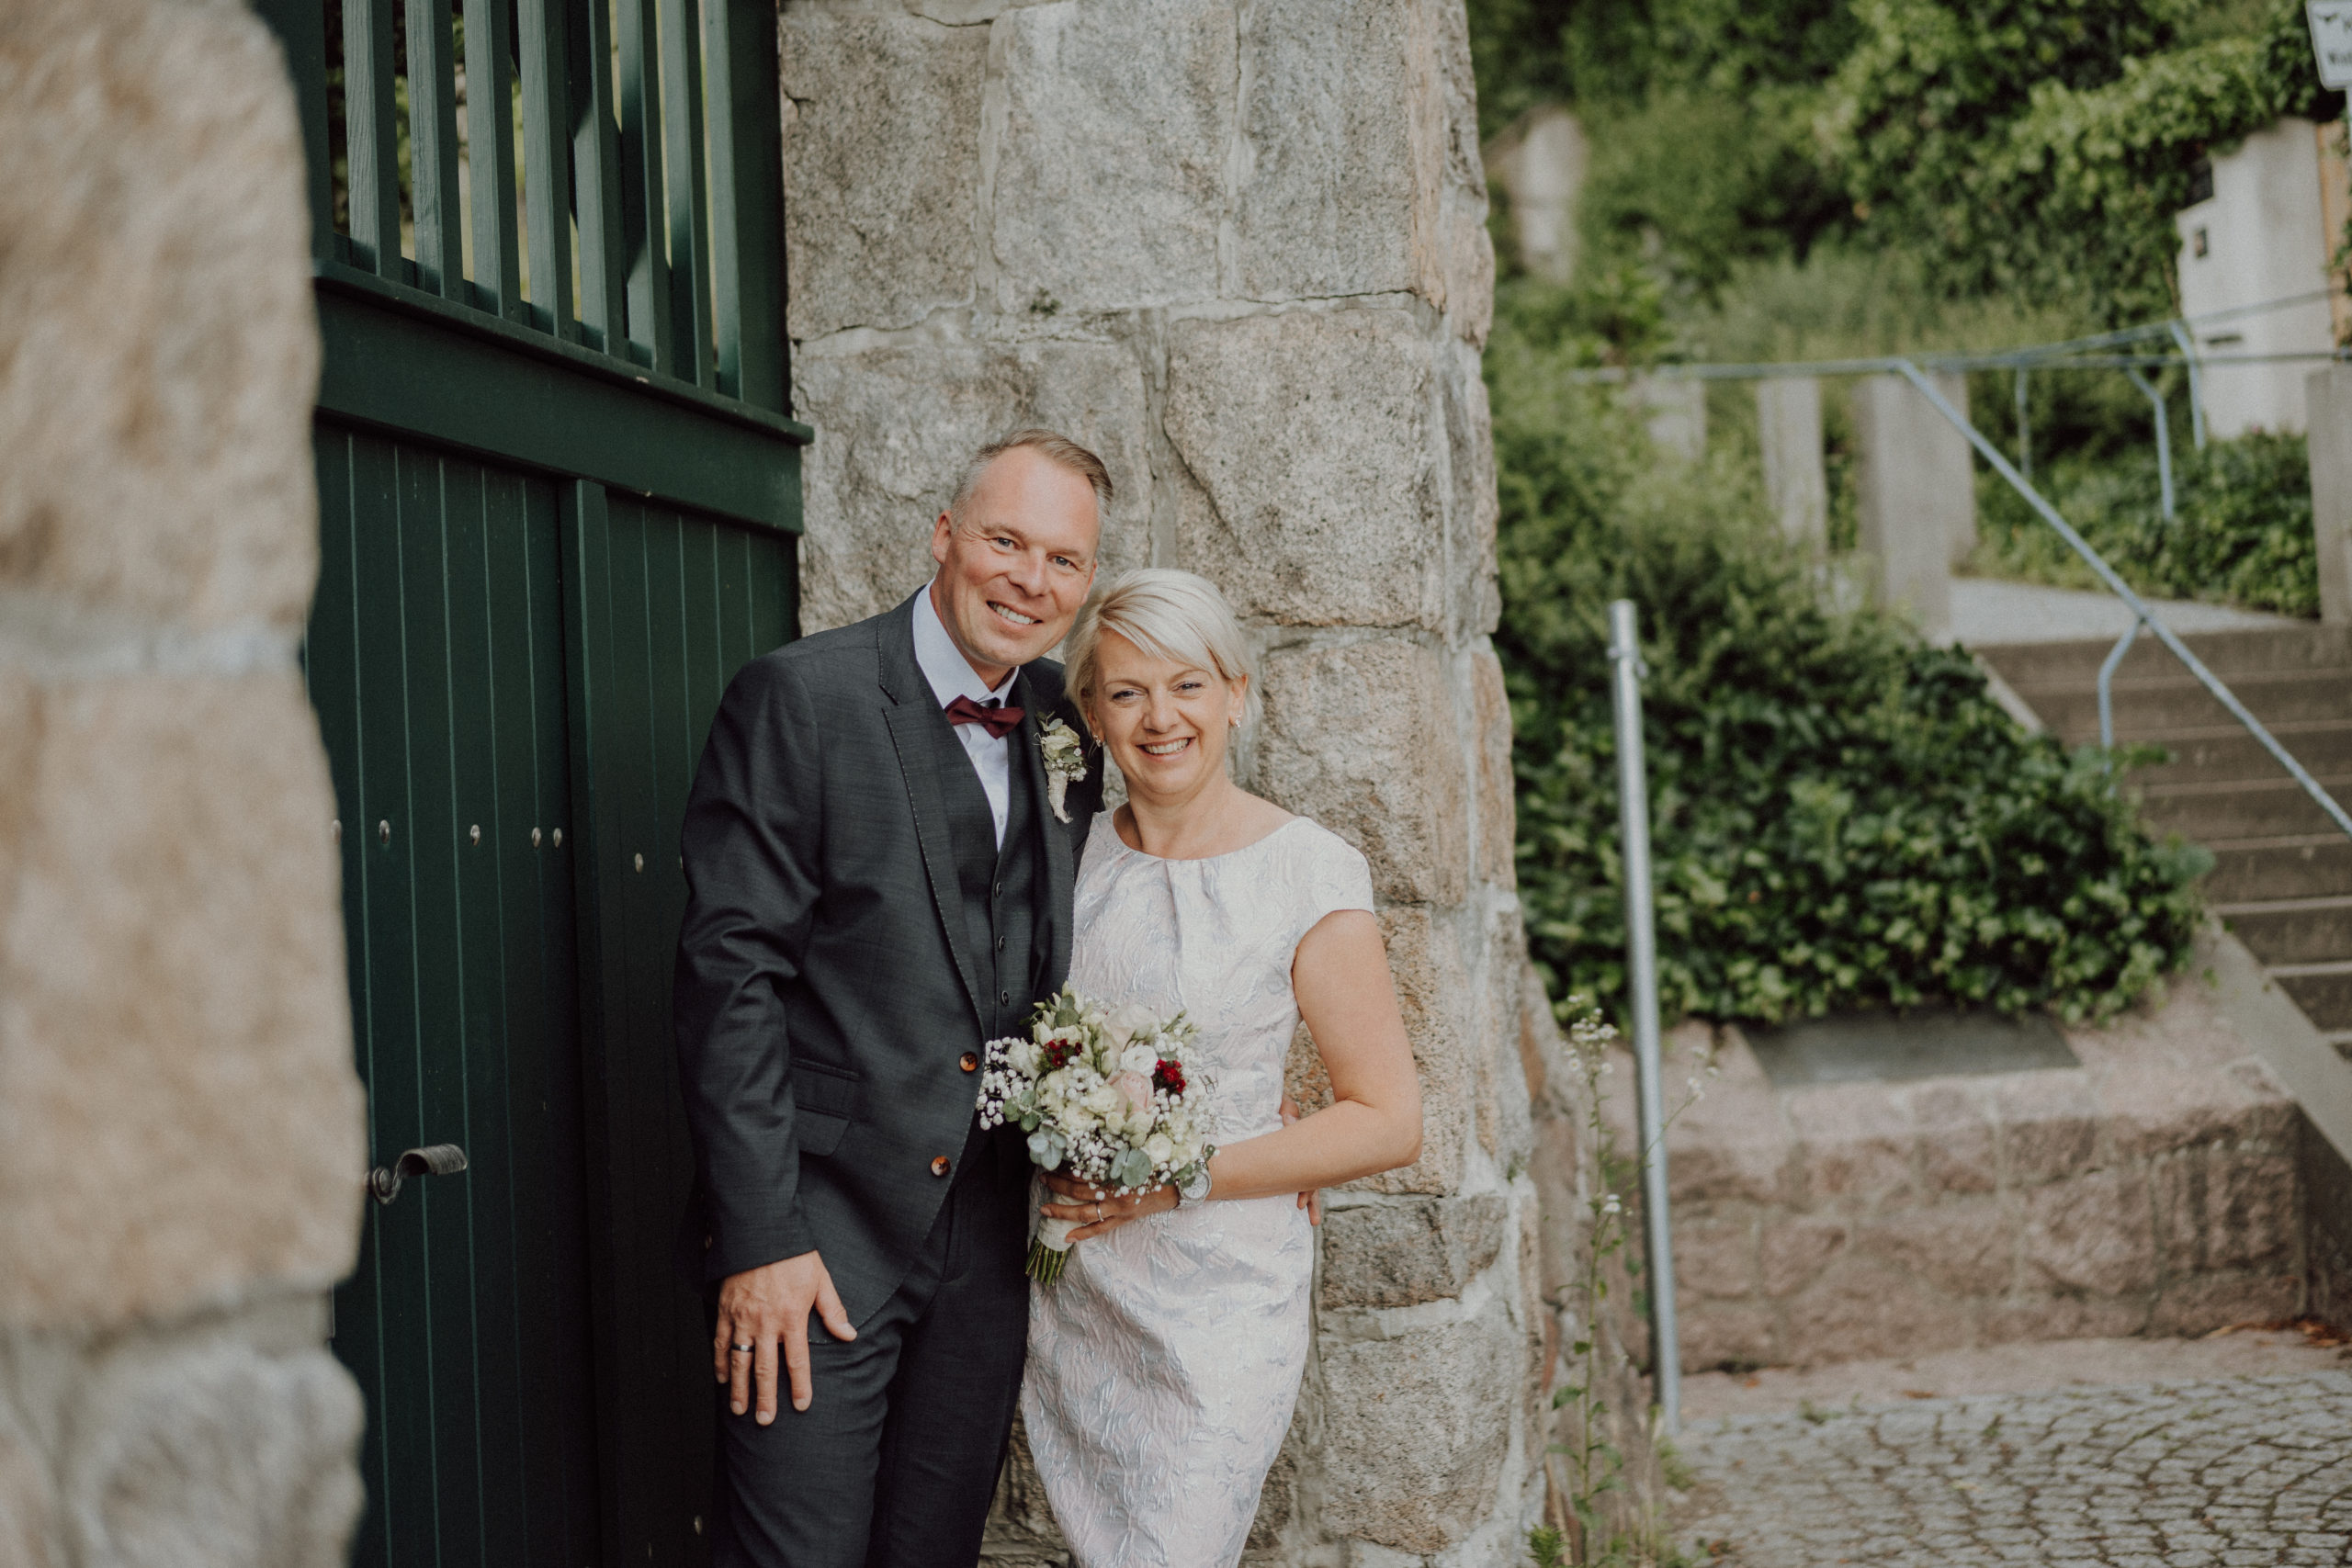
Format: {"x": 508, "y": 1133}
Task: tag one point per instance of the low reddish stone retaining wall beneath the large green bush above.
{"x": 2151, "y": 1191}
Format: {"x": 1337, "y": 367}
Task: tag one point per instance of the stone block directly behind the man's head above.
{"x": 900, "y": 429}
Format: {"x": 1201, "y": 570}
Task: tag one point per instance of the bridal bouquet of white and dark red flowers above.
{"x": 1102, "y": 1094}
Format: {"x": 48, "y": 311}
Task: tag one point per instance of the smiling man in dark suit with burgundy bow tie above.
{"x": 878, "y": 885}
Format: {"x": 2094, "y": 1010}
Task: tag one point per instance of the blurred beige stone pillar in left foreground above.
{"x": 180, "y": 1123}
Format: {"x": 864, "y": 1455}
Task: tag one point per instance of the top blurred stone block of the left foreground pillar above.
{"x": 156, "y": 342}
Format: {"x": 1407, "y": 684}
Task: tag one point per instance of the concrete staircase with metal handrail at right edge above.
{"x": 2283, "y": 876}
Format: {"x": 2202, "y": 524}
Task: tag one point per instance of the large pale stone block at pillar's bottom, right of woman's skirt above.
{"x": 1417, "y": 1430}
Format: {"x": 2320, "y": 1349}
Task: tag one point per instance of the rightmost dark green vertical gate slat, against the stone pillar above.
{"x": 747, "y": 201}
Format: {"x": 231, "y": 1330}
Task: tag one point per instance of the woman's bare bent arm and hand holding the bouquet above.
{"x": 1375, "y": 1115}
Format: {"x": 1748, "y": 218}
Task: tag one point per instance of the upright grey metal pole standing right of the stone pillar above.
{"x": 1643, "y": 958}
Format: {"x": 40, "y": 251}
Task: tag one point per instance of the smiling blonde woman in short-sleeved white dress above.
{"x": 1165, "y": 1365}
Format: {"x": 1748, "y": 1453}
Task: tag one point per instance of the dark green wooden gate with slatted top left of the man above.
{"x": 559, "y": 500}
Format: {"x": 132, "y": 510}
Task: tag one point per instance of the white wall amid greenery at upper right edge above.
{"x": 2259, "y": 239}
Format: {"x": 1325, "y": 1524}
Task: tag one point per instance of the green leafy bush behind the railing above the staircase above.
{"x": 2243, "y": 528}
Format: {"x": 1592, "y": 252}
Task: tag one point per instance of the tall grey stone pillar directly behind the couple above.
{"x": 1241, "y": 250}
